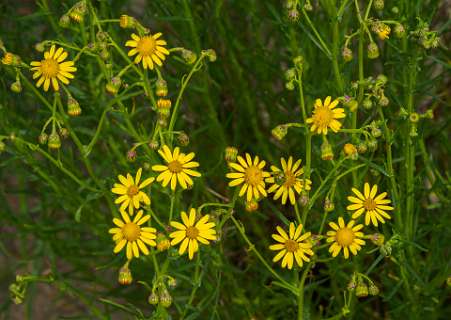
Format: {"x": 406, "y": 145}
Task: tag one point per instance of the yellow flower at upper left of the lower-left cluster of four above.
{"x": 129, "y": 191}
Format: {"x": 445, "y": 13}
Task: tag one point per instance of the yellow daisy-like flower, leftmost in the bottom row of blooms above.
{"x": 132, "y": 234}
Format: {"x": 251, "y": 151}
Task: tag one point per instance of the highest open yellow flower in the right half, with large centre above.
{"x": 325, "y": 116}
